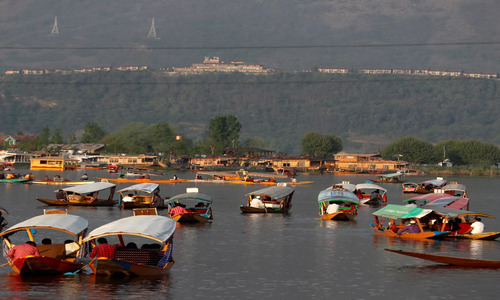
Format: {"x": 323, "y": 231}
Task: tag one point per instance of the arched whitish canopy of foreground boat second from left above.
{"x": 159, "y": 228}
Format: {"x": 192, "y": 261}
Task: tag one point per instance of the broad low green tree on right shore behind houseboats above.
{"x": 412, "y": 150}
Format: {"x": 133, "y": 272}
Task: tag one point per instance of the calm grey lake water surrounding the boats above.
{"x": 294, "y": 256}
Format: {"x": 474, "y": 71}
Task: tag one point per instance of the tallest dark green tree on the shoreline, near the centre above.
{"x": 224, "y": 131}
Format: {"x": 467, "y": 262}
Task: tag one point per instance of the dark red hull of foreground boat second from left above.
{"x": 117, "y": 267}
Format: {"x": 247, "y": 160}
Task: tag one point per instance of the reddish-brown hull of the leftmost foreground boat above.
{"x": 43, "y": 265}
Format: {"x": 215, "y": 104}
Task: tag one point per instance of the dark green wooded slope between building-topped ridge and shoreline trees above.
{"x": 366, "y": 111}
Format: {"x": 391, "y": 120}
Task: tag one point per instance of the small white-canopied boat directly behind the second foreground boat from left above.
{"x": 140, "y": 195}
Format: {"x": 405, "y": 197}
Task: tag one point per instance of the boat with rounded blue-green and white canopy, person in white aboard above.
{"x": 339, "y": 205}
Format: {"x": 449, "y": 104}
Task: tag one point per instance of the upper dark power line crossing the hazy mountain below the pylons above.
{"x": 476, "y": 43}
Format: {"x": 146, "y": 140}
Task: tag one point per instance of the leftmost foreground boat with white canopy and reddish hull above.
{"x": 55, "y": 258}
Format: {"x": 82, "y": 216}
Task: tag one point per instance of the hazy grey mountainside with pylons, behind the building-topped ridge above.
{"x": 263, "y": 32}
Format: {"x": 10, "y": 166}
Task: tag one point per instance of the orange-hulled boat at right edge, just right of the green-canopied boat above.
{"x": 462, "y": 219}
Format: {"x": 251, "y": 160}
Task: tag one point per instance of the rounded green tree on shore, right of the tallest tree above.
{"x": 317, "y": 145}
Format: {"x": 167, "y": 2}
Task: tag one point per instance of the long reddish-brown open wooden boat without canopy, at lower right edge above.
{"x": 451, "y": 260}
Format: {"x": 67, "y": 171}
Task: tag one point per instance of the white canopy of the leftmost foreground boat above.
{"x": 68, "y": 223}
